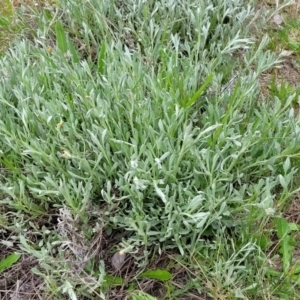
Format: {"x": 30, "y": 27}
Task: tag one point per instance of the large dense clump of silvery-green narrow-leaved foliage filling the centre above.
{"x": 72, "y": 135}
